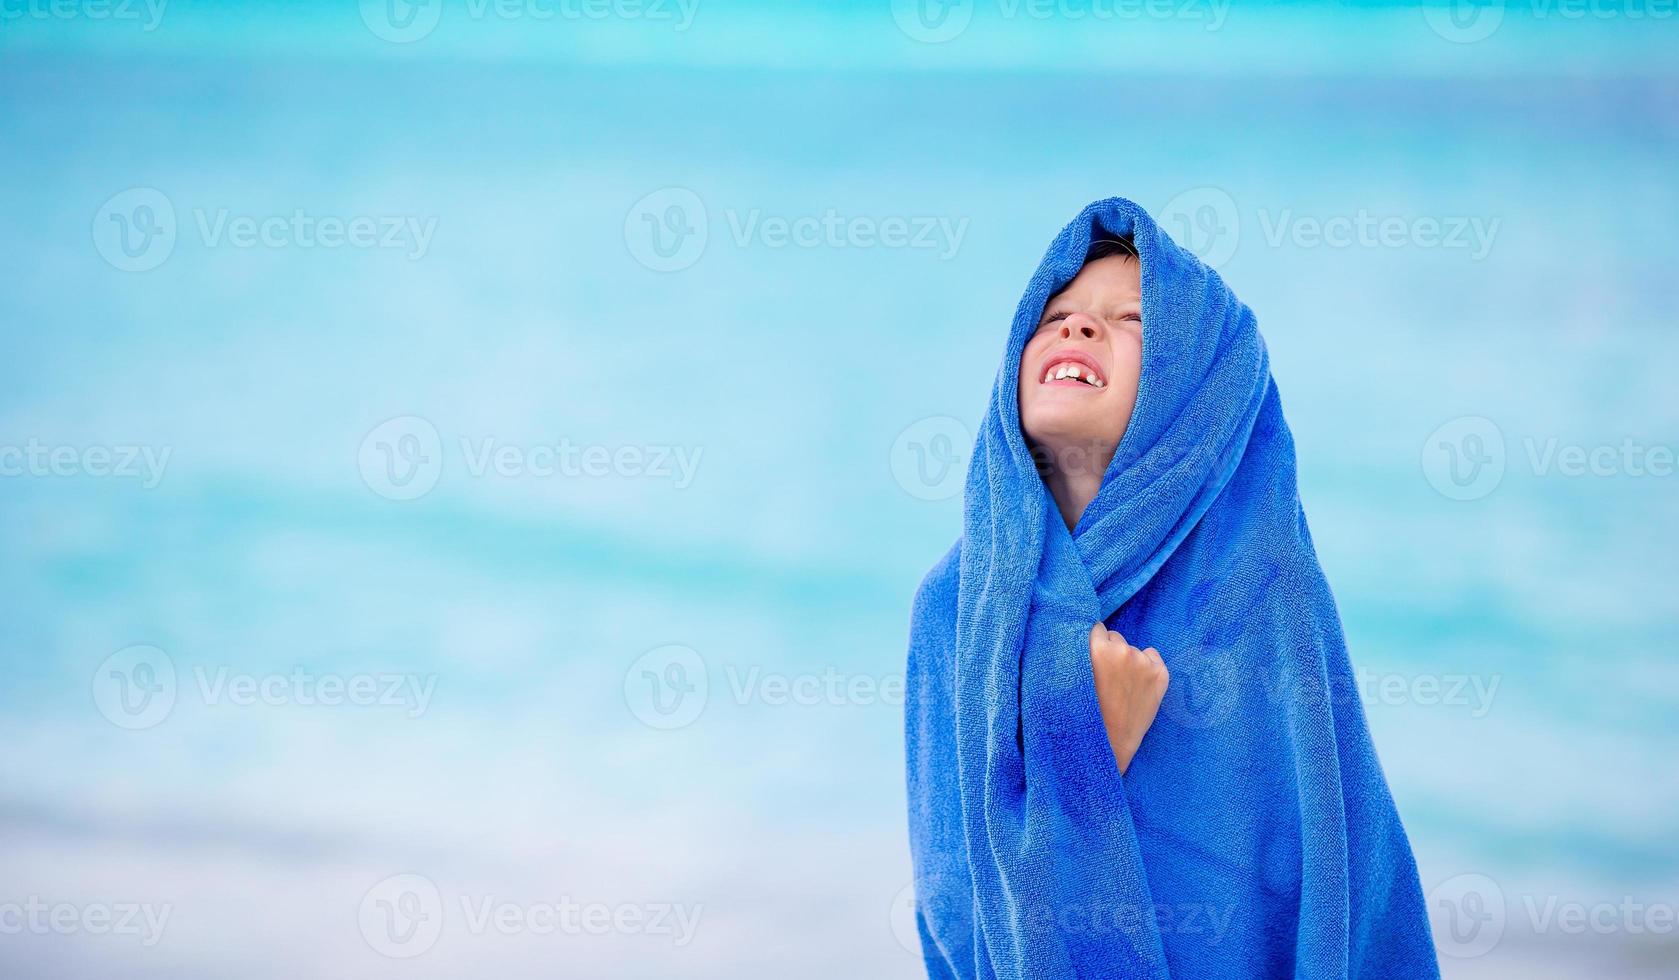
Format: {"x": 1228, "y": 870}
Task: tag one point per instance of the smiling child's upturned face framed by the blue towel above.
{"x": 1094, "y": 326}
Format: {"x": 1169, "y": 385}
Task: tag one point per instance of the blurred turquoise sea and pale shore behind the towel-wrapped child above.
{"x": 464, "y": 467}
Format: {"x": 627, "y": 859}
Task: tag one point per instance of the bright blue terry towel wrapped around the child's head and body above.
{"x": 1253, "y": 833}
